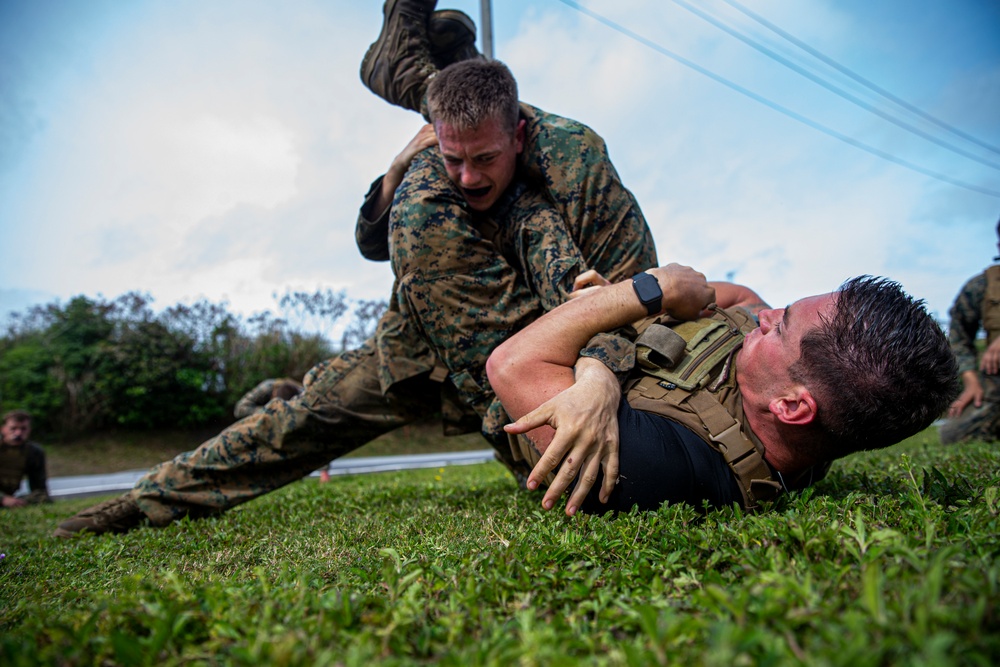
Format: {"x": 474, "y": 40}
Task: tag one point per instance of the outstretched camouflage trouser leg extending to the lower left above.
{"x": 342, "y": 408}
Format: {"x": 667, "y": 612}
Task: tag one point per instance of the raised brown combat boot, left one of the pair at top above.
{"x": 398, "y": 64}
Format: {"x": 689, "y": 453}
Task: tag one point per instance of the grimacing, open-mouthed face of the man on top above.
{"x": 481, "y": 162}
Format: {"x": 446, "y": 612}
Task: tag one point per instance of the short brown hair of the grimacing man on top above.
{"x": 466, "y": 94}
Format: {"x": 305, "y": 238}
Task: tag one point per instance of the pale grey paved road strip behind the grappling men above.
{"x": 88, "y": 485}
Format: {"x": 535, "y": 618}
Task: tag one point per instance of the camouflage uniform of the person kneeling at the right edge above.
{"x": 982, "y": 423}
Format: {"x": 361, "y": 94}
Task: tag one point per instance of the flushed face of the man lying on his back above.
{"x": 770, "y": 350}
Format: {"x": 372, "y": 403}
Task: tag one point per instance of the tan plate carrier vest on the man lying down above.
{"x": 687, "y": 378}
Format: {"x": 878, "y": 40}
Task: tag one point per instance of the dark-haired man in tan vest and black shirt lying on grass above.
{"x": 857, "y": 369}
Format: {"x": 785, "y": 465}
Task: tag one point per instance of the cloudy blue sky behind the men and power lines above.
{"x": 221, "y": 149}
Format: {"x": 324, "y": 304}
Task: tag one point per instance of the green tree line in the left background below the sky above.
{"x": 94, "y": 363}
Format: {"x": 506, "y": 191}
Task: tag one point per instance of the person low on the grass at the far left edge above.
{"x": 20, "y": 458}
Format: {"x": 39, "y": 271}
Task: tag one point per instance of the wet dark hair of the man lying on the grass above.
{"x": 880, "y": 368}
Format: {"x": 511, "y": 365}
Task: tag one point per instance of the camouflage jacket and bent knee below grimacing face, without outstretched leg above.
{"x": 567, "y": 212}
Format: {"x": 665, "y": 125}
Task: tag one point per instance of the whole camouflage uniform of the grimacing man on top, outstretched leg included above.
{"x": 464, "y": 282}
